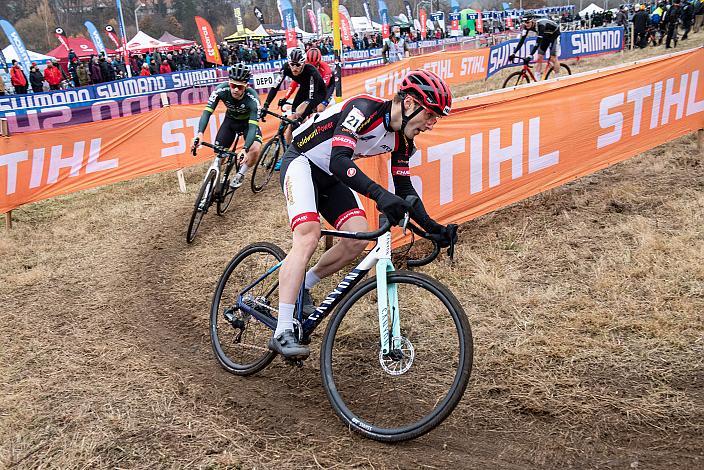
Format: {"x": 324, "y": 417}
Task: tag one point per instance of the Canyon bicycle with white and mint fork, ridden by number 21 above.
{"x": 390, "y": 380}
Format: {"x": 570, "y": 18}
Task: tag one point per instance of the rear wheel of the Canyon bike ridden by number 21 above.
{"x": 240, "y": 341}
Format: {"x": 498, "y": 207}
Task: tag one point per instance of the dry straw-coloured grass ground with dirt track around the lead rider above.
{"x": 585, "y": 302}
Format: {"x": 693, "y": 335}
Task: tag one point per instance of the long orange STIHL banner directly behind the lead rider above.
{"x": 493, "y": 150}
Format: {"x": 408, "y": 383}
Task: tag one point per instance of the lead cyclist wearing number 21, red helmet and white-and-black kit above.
{"x": 319, "y": 176}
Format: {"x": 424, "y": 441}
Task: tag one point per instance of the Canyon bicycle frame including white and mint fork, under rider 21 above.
{"x": 379, "y": 256}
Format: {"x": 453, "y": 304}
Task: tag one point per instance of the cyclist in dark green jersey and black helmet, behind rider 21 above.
{"x": 242, "y": 116}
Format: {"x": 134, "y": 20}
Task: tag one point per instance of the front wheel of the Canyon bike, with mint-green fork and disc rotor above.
{"x": 410, "y": 391}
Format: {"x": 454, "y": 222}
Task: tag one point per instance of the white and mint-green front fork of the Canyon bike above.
{"x": 387, "y": 298}
